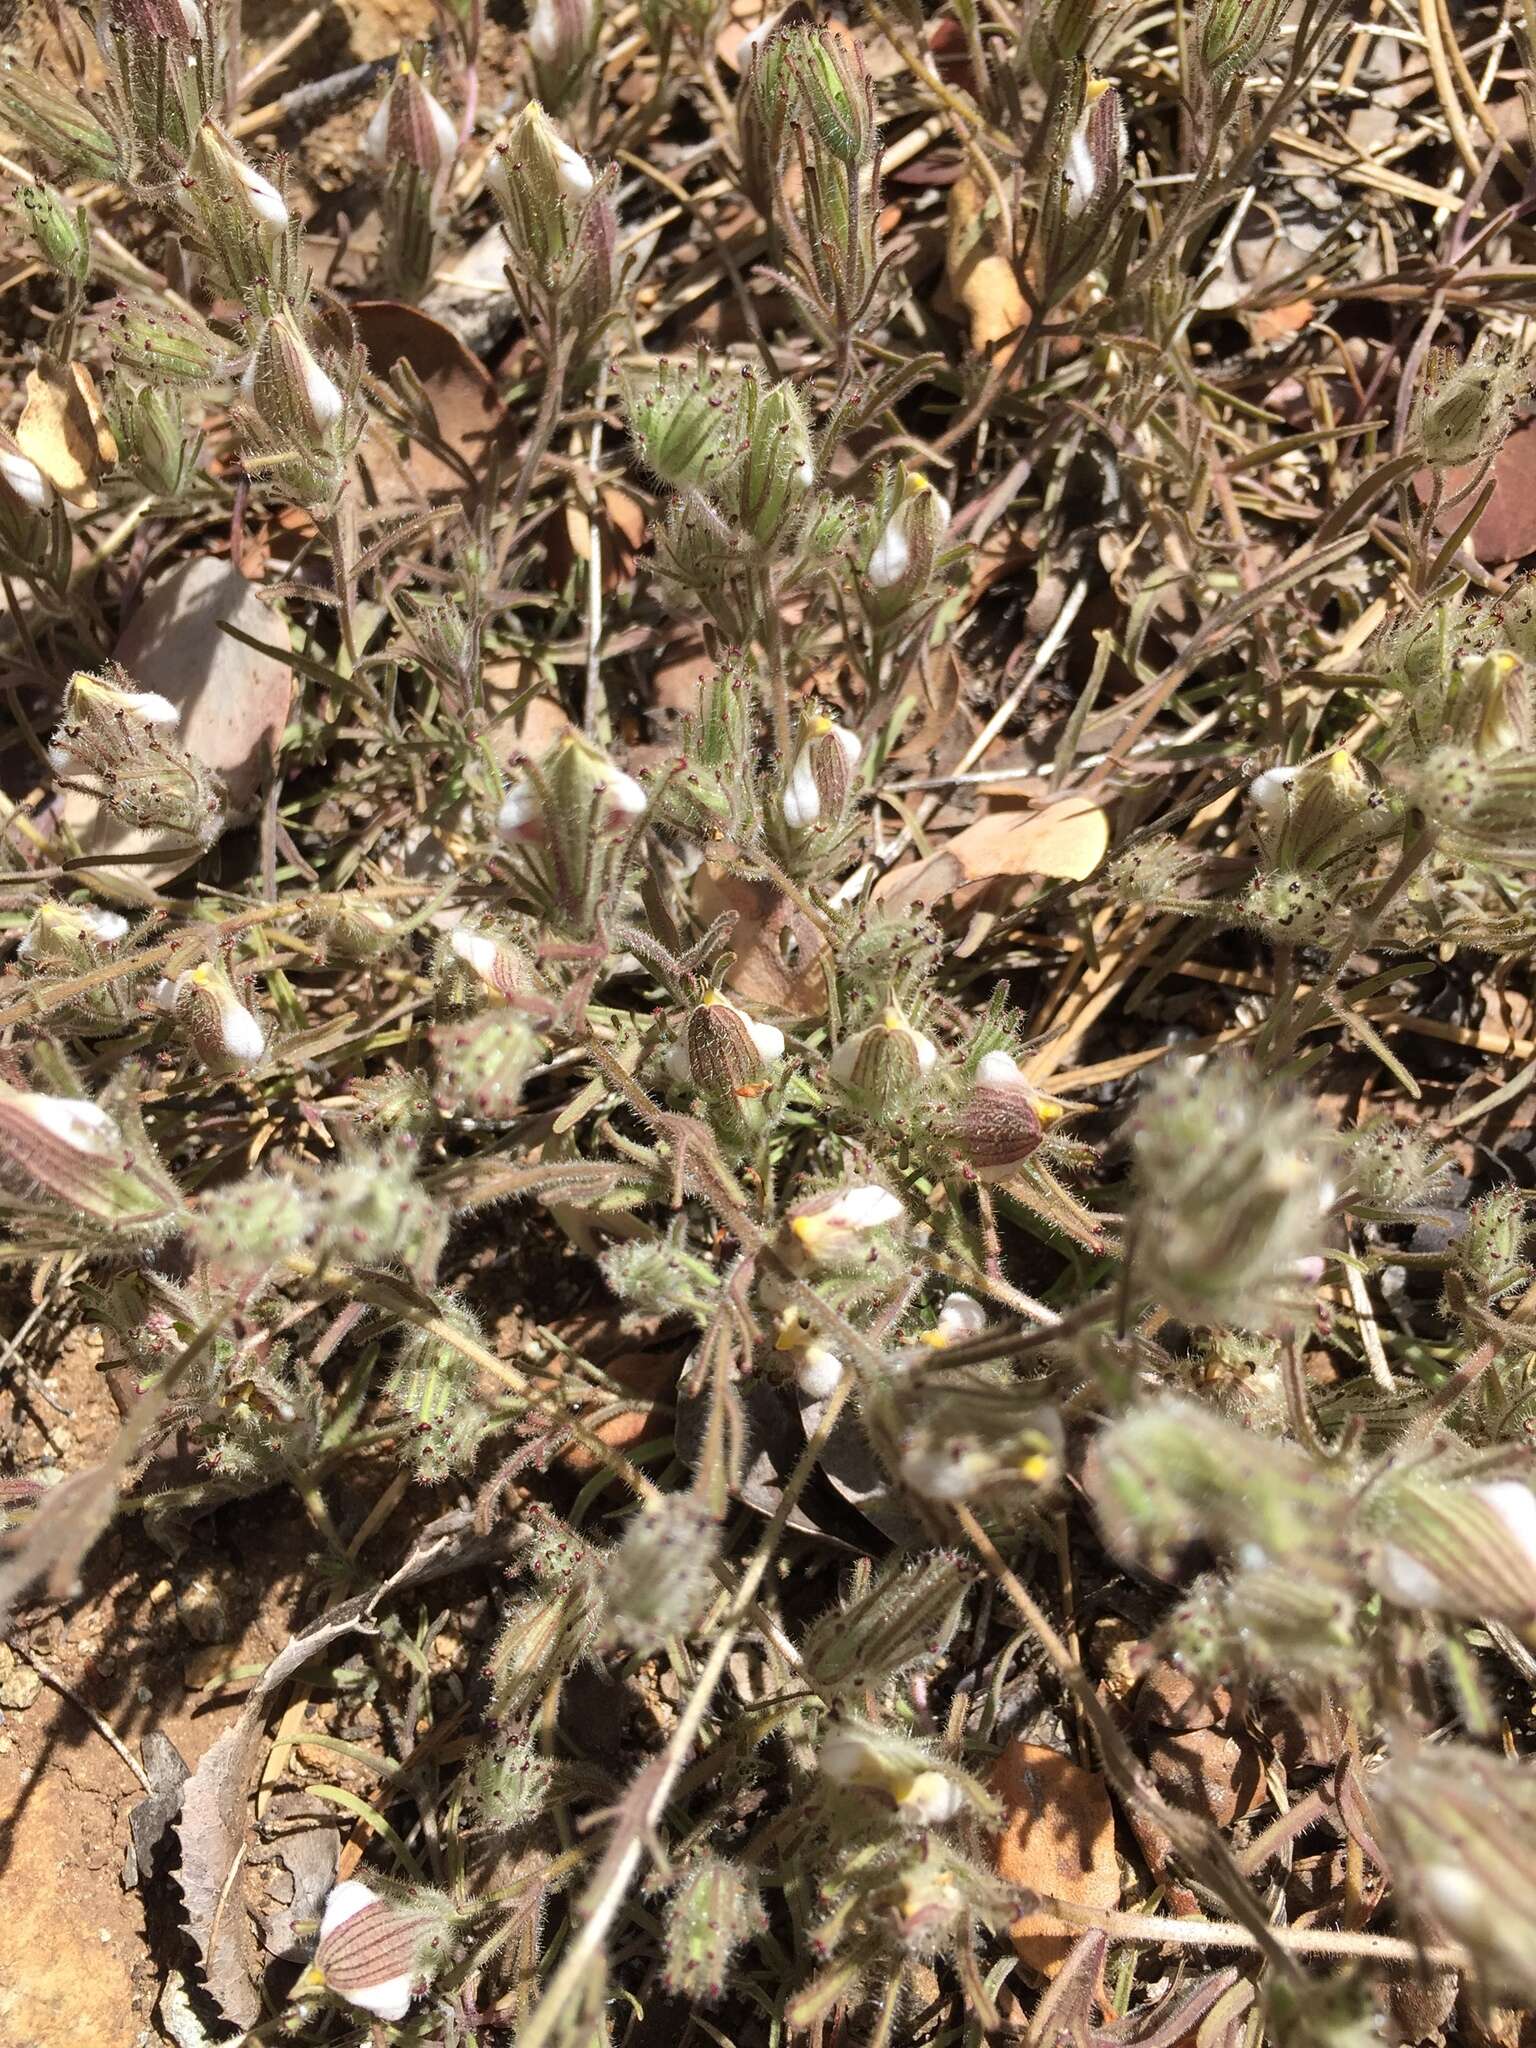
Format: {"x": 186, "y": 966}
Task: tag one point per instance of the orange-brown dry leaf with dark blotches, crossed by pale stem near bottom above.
{"x": 1058, "y": 1838}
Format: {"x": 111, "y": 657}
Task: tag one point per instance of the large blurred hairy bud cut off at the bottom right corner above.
{"x": 1459, "y": 1830}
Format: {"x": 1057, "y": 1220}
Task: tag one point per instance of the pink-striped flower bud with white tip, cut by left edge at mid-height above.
{"x": 77, "y": 1152}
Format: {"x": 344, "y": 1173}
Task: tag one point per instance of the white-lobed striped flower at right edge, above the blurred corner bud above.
{"x": 1457, "y": 1549}
